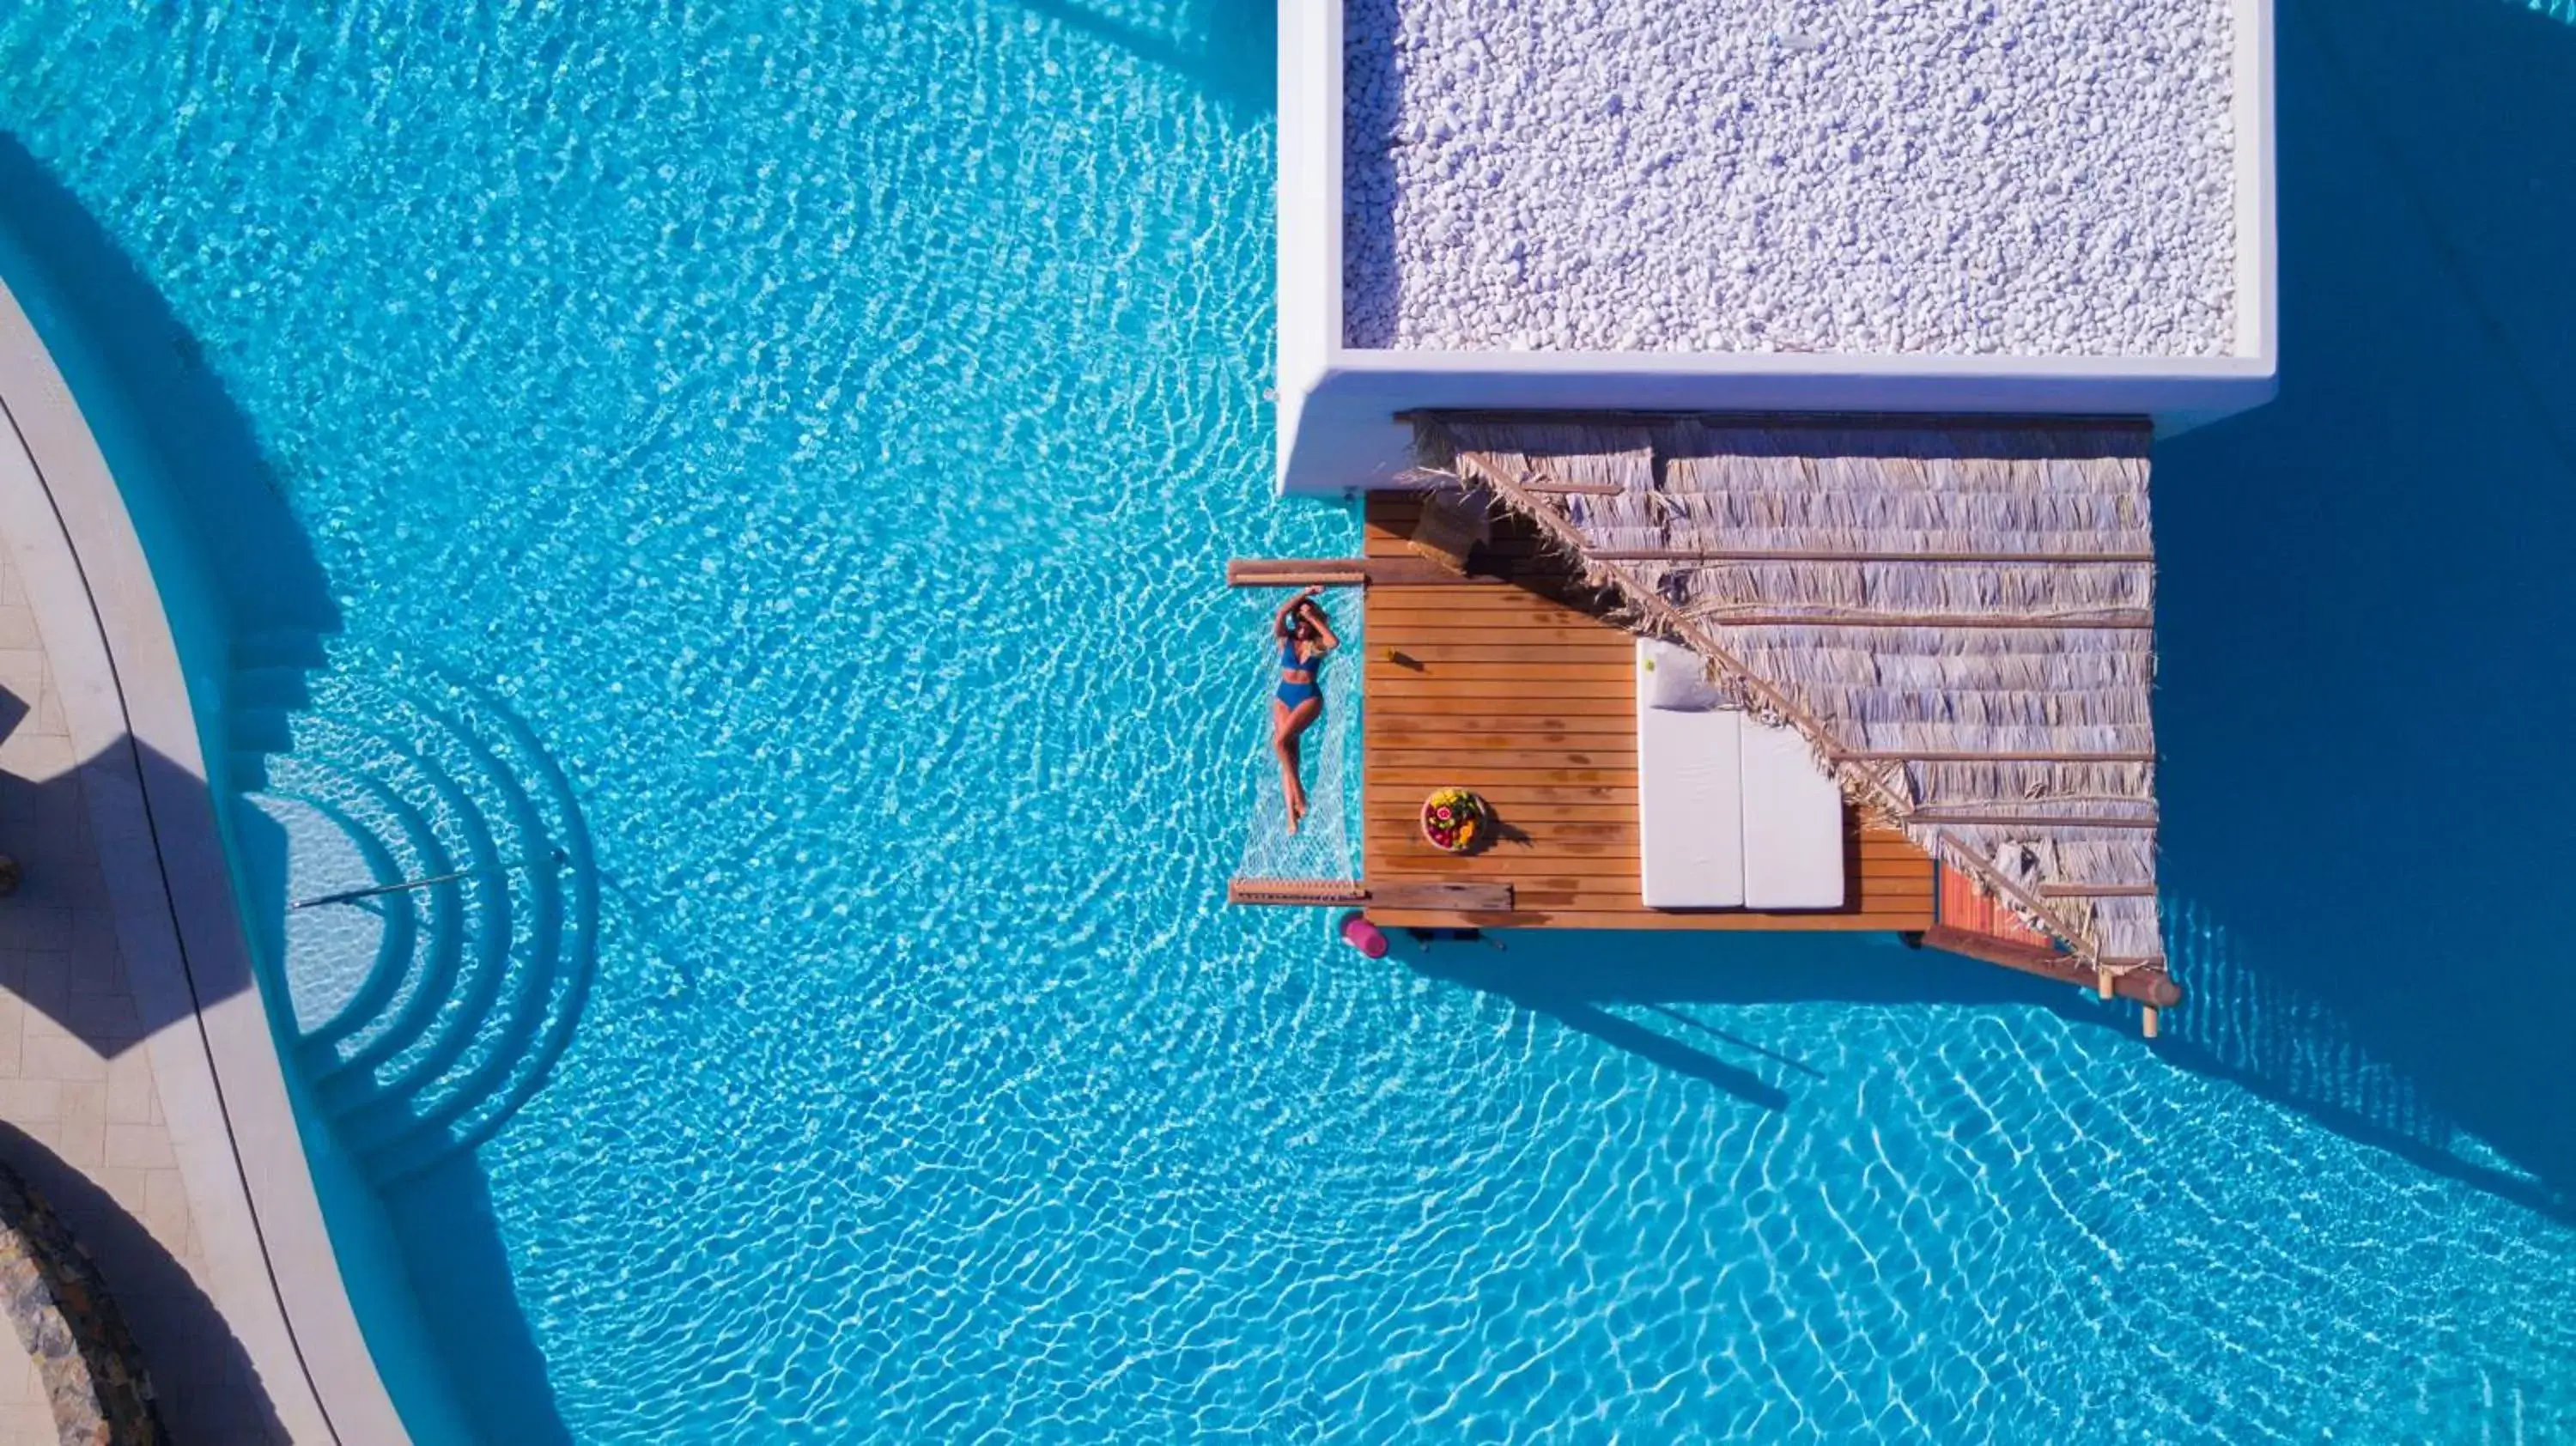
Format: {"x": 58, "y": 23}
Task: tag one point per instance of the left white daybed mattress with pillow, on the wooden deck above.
{"x": 1689, "y": 793}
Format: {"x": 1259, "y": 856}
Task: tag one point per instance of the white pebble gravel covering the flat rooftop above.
{"x": 1866, "y": 177}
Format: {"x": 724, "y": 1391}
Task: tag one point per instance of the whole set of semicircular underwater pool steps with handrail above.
{"x": 480, "y": 973}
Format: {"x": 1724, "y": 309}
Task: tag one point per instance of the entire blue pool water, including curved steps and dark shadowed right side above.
{"x": 815, "y": 432}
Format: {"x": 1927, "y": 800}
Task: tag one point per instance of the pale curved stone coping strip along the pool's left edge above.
{"x": 233, "y": 1123}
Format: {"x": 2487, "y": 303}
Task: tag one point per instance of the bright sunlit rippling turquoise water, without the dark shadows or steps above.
{"x": 826, "y": 427}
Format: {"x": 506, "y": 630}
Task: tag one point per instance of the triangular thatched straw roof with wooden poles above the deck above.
{"x": 1959, "y": 617}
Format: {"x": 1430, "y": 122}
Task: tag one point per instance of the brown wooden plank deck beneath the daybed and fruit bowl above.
{"x": 1513, "y": 684}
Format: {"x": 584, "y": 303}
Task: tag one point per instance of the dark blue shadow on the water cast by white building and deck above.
{"x": 2366, "y": 646}
